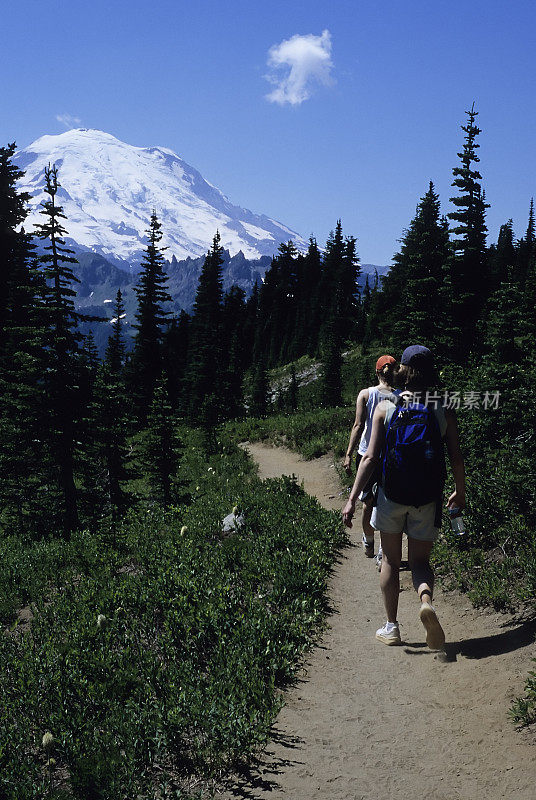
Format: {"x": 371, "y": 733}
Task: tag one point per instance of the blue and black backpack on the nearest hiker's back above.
{"x": 413, "y": 463}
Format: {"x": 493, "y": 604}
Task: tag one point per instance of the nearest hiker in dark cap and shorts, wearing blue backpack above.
{"x": 410, "y": 495}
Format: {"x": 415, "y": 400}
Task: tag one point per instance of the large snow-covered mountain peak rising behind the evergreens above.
{"x": 109, "y": 190}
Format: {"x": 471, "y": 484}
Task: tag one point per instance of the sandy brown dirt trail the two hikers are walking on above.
{"x": 367, "y": 721}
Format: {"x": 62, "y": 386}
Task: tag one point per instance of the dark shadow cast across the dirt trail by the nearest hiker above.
{"x": 485, "y": 646}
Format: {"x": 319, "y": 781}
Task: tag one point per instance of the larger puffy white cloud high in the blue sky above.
{"x": 309, "y": 59}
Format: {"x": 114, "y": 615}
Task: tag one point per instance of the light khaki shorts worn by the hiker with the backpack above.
{"x": 416, "y": 522}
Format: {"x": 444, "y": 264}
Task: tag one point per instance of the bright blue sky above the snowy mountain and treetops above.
{"x": 371, "y": 113}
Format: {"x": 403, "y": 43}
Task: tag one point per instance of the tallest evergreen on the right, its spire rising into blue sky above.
{"x": 468, "y": 265}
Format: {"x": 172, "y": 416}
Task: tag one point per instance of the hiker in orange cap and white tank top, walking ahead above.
{"x": 367, "y": 401}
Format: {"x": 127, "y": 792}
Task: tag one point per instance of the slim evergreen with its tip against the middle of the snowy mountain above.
{"x": 151, "y": 319}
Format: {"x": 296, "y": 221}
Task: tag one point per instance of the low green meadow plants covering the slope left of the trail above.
{"x": 157, "y": 647}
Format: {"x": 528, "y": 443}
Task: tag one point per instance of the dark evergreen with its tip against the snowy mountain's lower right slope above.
{"x": 206, "y": 358}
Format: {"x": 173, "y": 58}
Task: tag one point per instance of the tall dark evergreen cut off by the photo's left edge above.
{"x": 24, "y": 457}
